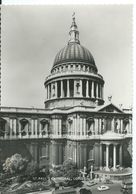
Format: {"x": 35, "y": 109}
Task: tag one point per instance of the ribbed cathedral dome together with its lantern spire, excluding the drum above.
{"x": 74, "y": 52}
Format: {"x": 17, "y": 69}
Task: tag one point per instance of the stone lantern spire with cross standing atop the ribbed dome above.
{"x": 74, "y": 33}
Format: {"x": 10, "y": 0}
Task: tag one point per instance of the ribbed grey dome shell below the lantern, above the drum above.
{"x": 74, "y": 52}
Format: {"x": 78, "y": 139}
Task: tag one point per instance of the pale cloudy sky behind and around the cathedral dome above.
{"x": 32, "y": 36}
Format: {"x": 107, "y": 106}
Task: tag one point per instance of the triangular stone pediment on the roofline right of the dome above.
{"x": 110, "y": 108}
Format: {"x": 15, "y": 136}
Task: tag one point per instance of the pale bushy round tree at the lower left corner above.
{"x": 15, "y": 164}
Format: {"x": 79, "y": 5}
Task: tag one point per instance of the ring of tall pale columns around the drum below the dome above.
{"x": 74, "y": 88}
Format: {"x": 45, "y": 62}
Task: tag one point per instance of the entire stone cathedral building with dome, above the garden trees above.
{"x": 75, "y": 122}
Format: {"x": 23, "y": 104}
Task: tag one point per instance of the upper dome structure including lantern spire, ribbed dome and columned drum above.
{"x": 74, "y": 73}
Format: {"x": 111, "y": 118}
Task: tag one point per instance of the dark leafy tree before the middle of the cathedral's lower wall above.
{"x": 70, "y": 169}
